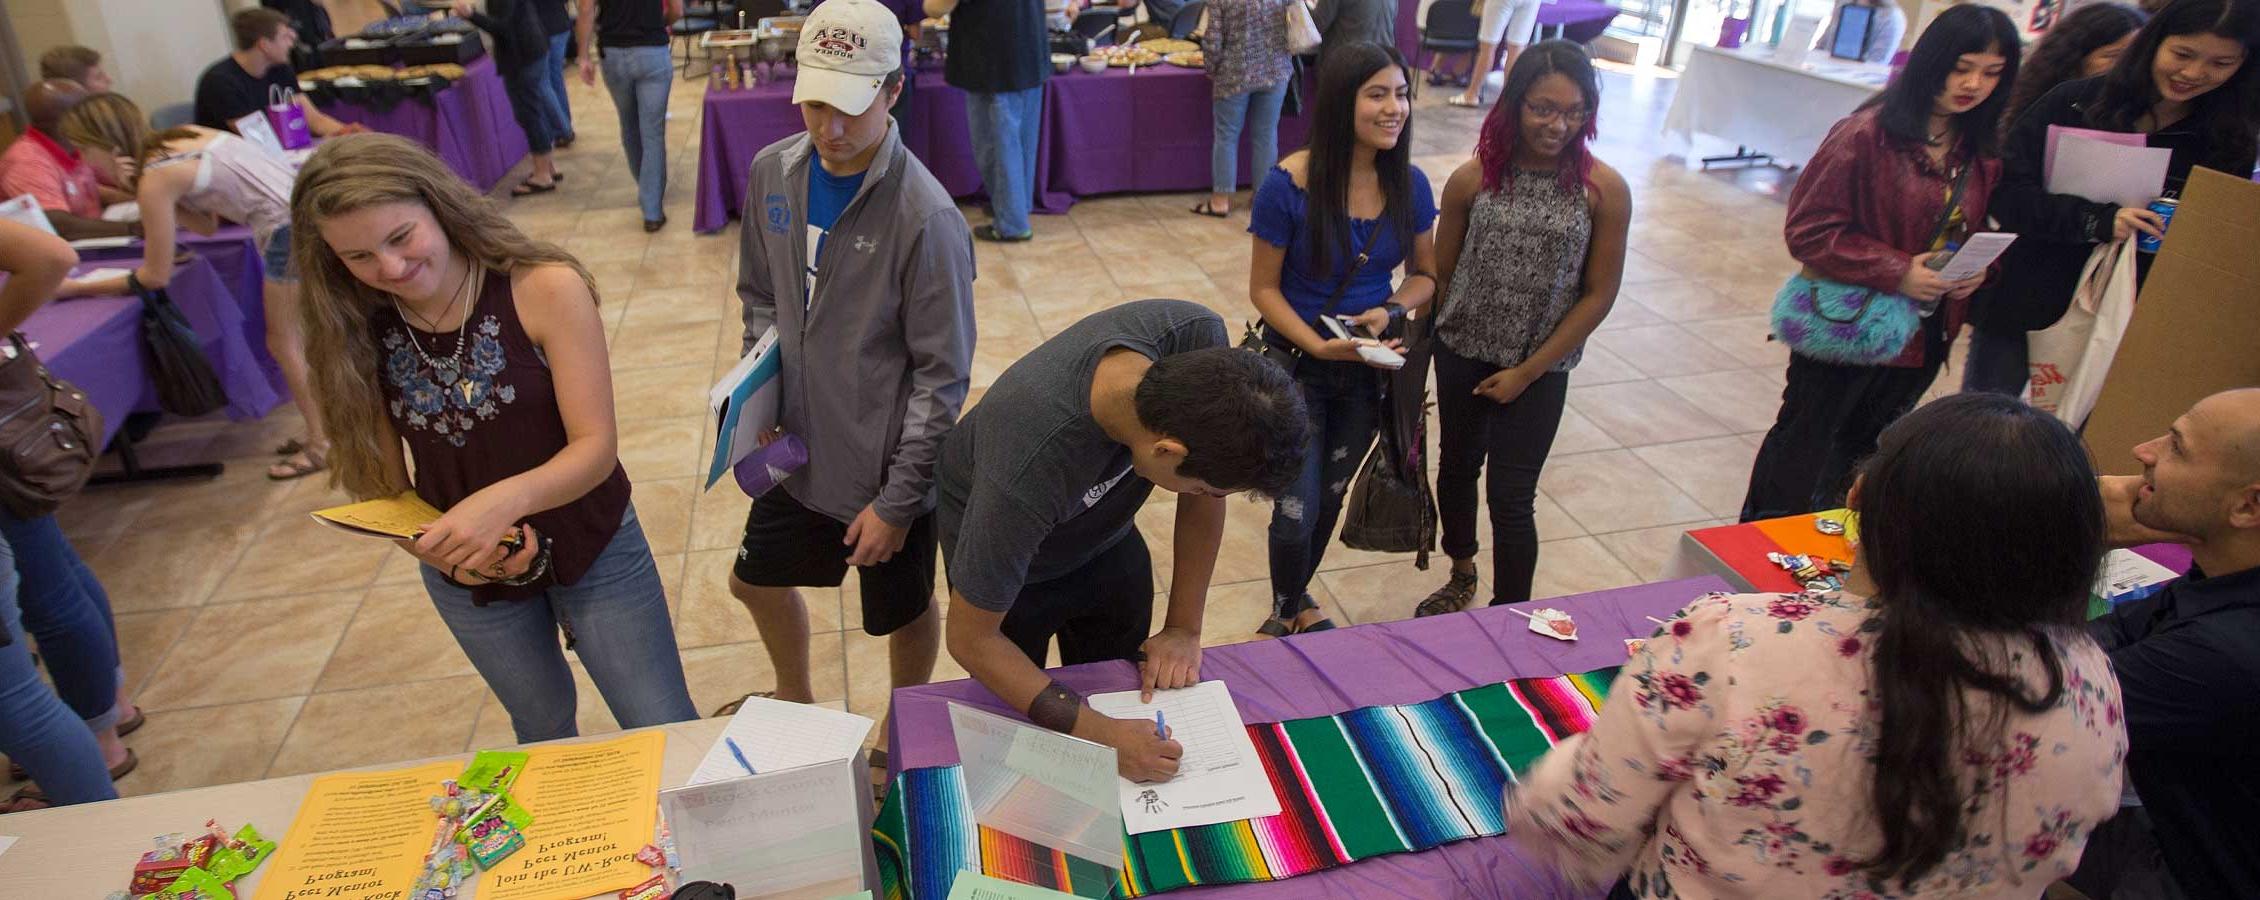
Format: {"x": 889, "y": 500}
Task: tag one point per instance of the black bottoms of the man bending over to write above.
{"x": 1099, "y": 612}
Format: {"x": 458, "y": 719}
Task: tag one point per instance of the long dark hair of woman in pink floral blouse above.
{"x": 1979, "y": 517}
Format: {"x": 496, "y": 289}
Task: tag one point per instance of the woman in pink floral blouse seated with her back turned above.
{"x": 1940, "y": 729}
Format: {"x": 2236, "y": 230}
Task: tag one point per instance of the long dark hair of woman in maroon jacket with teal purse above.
{"x": 1911, "y": 98}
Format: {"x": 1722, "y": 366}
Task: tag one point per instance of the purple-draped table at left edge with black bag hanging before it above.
{"x": 98, "y": 345}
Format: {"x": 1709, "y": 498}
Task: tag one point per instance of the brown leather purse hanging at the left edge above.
{"x": 51, "y": 435}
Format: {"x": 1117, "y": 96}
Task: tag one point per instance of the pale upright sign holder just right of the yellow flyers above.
{"x": 792, "y": 833}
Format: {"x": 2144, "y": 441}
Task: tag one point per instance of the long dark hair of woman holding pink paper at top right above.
{"x": 2232, "y": 112}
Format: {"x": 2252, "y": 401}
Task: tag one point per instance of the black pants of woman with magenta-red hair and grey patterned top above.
{"x": 1509, "y": 447}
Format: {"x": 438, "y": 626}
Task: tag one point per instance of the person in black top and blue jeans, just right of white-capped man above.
{"x": 1000, "y": 55}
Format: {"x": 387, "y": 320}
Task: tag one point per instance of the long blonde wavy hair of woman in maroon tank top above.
{"x": 338, "y": 311}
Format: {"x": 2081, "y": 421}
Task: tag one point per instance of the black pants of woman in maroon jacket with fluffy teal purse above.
{"x": 1829, "y": 422}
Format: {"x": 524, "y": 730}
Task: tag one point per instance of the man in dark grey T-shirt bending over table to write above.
{"x": 1041, "y": 490}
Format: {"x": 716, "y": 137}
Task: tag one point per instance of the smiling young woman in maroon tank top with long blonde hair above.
{"x": 446, "y": 338}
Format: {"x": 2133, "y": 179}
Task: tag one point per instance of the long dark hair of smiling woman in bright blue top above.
{"x": 1335, "y": 146}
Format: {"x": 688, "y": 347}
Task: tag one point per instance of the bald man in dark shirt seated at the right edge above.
{"x": 2189, "y": 664}
